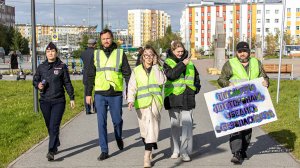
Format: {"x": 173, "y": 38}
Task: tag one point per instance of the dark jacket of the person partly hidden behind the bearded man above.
{"x": 86, "y": 57}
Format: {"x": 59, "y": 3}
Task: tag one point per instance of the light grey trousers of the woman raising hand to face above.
{"x": 185, "y": 117}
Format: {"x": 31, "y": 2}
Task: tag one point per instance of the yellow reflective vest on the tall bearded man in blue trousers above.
{"x": 108, "y": 70}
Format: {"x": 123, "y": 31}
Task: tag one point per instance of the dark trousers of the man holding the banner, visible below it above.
{"x": 240, "y": 141}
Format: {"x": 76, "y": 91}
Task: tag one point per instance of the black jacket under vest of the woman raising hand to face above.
{"x": 186, "y": 100}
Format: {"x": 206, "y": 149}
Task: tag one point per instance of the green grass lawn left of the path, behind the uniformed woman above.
{"x": 21, "y": 127}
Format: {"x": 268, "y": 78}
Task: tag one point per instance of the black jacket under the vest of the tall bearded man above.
{"x": 91, "y": 73}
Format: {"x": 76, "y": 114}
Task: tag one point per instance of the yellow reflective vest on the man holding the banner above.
{"x": 239, "y": 73}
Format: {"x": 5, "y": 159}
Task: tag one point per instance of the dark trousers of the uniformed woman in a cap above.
{"x": 53, "y": 113}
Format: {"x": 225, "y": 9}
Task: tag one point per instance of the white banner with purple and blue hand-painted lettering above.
{"x": 240, "y": 107}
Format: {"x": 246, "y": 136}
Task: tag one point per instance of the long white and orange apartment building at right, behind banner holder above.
{"x": 198, "y": 21}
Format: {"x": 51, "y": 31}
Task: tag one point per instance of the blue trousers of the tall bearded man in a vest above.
{"x": 115, "y": 108}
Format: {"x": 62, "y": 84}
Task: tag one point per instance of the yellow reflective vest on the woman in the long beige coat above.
{"x": 147, "y": 88}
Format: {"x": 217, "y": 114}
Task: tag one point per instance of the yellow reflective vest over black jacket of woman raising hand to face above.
{"x": 178, "y": 86}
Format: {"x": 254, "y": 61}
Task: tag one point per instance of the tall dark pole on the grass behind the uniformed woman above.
{"x": 34, "y": 59}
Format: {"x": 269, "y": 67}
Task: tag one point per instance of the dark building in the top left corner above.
{"x": 7, "y": 14}
